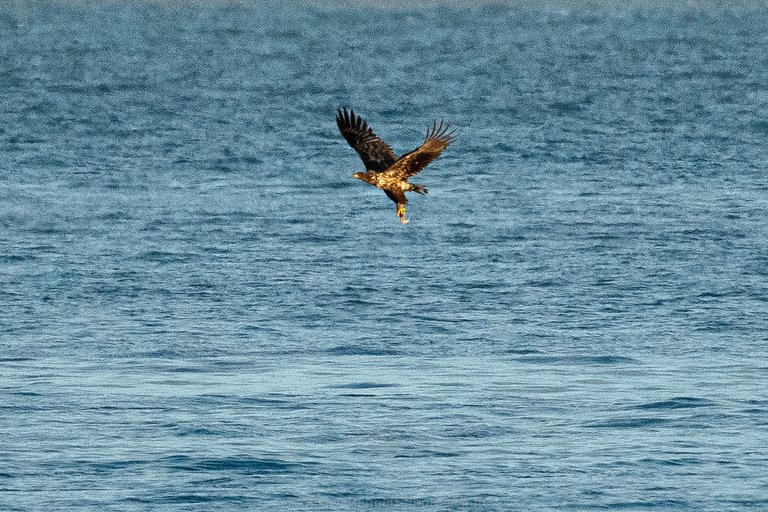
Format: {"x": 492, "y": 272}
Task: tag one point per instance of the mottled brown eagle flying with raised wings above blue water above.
{"x": 383, "y": 169}
